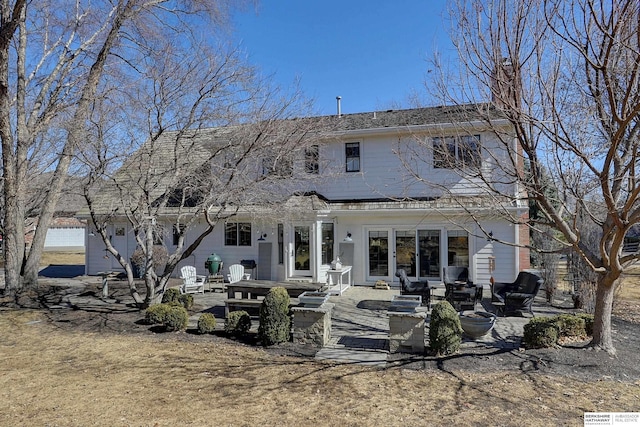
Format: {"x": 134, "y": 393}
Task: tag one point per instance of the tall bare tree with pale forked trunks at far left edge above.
{"x": 62, "y": 58}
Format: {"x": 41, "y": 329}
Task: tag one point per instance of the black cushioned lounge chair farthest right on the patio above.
{"x": 517, "y": 296}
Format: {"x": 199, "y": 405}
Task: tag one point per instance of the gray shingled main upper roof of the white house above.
{"x": 191, "y": 151}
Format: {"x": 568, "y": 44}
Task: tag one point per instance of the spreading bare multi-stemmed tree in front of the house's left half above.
{"x": 198, "y": 139}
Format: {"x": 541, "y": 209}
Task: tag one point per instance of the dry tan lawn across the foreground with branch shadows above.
{"x": 50, "y": 377}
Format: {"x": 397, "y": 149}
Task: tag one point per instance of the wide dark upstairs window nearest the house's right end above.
{"x": 456, "y": 151}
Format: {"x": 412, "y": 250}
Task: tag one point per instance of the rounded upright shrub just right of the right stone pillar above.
{"x": 445, "y": 332}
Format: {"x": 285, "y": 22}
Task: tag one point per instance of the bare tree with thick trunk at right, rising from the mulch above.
{"x": 564, "y": 75}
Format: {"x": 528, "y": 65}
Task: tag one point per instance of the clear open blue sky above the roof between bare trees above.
{"x": 372, "y": 53}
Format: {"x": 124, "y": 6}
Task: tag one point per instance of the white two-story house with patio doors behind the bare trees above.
{"x": 394, "y": 197}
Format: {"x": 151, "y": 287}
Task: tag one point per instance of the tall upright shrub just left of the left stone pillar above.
{"x": 275, "y": 321}
